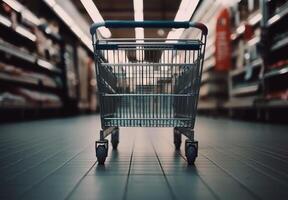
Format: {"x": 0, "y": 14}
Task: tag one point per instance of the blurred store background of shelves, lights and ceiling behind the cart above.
{"x": 47, "y": 67}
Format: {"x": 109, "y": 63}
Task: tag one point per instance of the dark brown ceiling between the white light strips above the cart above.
{"x": 123, "y": 10}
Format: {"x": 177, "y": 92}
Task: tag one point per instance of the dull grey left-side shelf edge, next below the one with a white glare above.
{"x": 29, "y": 83}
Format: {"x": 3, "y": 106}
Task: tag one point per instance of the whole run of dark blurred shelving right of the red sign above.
{"x": 260, "y": 87}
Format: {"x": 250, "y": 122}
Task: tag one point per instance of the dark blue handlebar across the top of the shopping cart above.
{"x": 148, "y": 24}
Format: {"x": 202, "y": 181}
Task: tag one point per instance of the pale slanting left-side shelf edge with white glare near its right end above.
{"x": 33, "y": 60}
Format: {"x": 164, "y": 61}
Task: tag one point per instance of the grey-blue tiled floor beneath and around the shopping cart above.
{"x": 55, "y": 159}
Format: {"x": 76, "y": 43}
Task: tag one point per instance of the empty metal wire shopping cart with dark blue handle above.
{"x": 148, "y": 83}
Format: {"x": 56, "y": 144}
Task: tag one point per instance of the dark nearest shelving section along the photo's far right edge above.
{"x": 275, "y": 76}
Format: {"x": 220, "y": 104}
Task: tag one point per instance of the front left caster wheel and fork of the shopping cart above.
{"x": 101, "y": 148}
